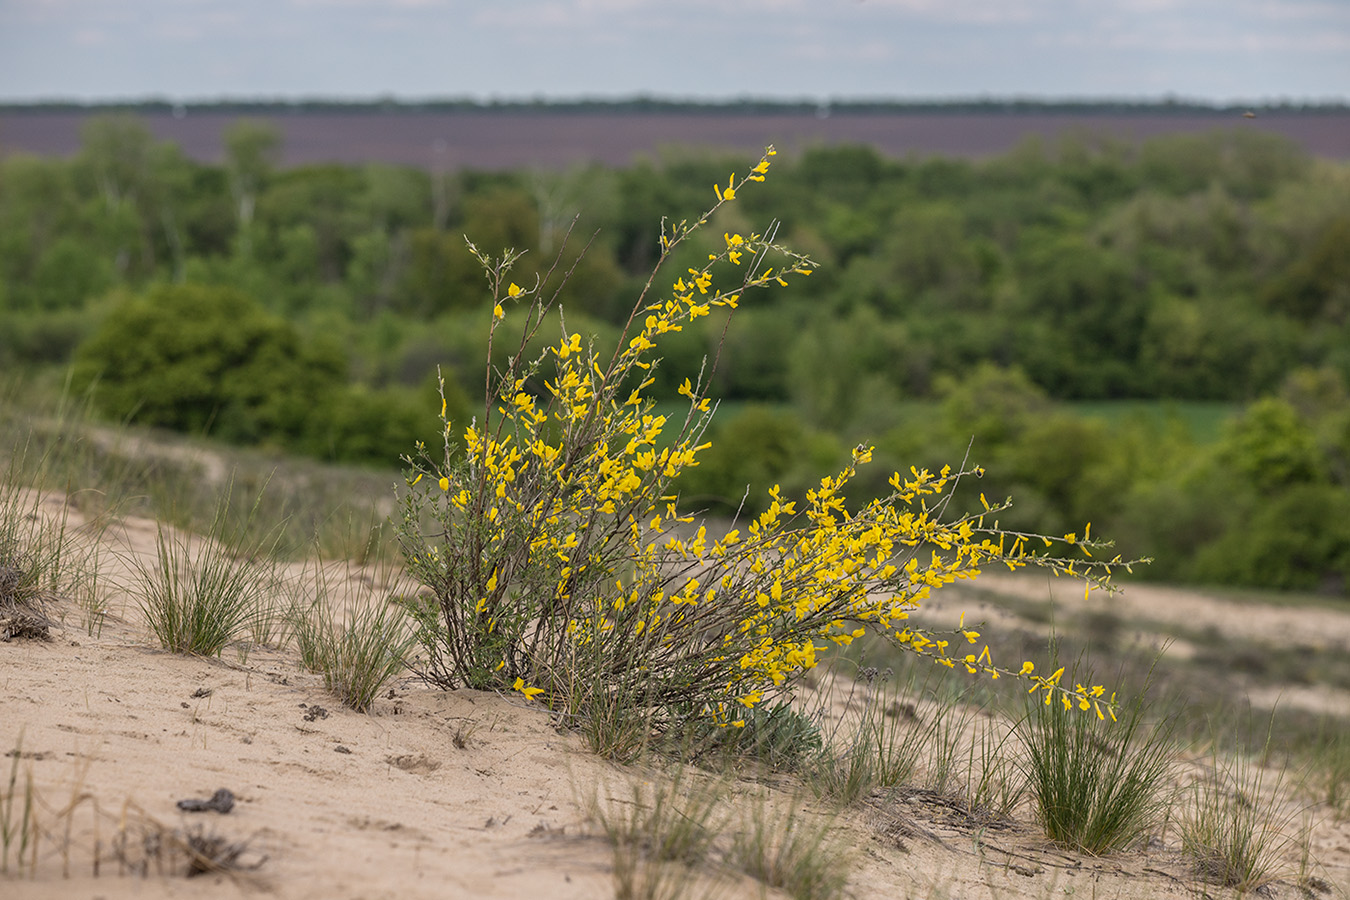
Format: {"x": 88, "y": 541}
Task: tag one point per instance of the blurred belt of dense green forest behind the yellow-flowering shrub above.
{"x": 1075, "y": 308}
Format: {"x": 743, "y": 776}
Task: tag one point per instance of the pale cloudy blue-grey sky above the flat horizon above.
{"x": 184, "y": 51}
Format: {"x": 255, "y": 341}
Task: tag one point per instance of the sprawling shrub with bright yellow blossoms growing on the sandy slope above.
{"x": 557, "y": 562}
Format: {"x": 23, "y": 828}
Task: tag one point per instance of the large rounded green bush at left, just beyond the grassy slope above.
{"x": 211, "y": 361}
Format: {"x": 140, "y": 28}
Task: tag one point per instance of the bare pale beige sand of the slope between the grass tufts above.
{"x": 340, "y": 805}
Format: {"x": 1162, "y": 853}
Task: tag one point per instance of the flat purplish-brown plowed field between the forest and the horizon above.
{"x": 496, "y": 140}
